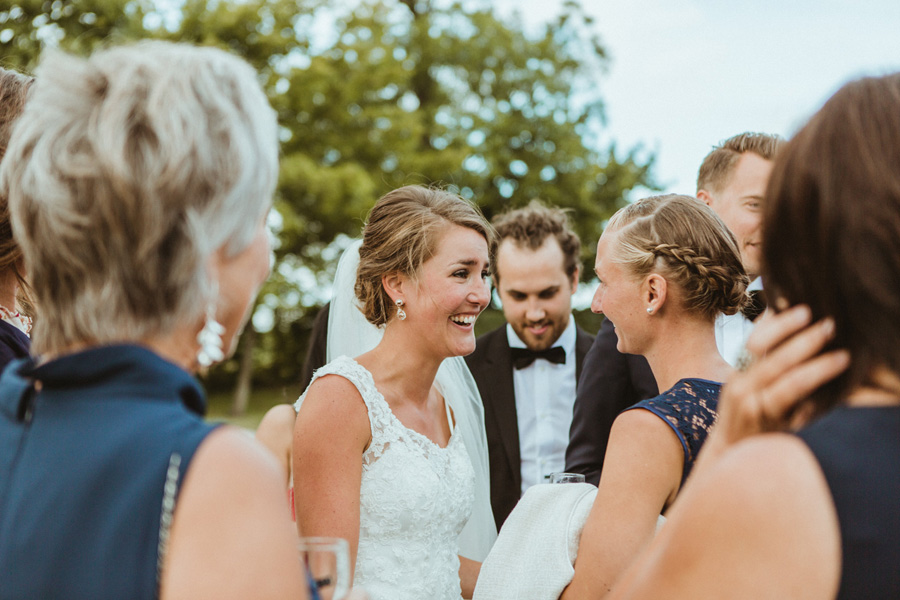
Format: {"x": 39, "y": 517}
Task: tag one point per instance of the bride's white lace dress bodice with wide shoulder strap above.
{"x": 415, "y": 498}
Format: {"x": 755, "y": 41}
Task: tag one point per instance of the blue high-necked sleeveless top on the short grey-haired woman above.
{"x": 90, "y": 468}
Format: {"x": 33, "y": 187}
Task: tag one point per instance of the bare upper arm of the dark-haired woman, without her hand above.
{"x": 758, "y": 524}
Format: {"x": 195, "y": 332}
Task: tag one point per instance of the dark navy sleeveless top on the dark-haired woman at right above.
{"x": 858, "y": 450}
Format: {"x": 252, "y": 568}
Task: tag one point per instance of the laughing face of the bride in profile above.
{"x": 450, "y": 291}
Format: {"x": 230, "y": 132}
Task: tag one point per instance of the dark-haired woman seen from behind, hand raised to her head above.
{"x": 777, "y": 512}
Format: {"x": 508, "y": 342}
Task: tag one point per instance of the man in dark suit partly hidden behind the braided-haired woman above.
{"x": 732, "y": 181}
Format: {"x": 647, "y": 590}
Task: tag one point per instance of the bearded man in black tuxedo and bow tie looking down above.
{"x": 527, "y": 371}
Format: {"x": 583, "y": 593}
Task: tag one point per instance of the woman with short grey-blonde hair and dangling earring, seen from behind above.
{"x": 139, "y": 181}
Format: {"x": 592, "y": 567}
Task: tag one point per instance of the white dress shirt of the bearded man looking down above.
{"x": 545, "y": 394}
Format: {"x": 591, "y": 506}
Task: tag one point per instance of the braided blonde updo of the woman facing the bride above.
{"x": 683, "y": 240}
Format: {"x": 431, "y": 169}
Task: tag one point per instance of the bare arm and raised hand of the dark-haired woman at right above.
{"x": 756, "y": 519}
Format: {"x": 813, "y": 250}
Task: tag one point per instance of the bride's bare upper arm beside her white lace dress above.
{"x": 331, "y": 434}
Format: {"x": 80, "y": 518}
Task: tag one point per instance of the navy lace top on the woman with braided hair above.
{"x": 689, "y": 408}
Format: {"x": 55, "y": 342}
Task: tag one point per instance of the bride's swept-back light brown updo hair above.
{"x": 401, "y": 233}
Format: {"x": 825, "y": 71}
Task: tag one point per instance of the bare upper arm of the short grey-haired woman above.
{"x": 230, "y": 536}
